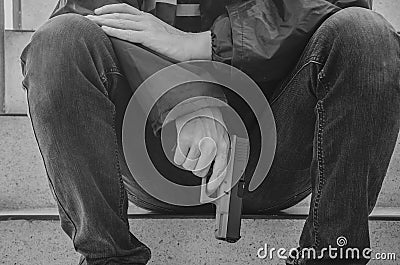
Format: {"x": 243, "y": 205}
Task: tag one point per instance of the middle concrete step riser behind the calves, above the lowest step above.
{"x": 23, "y": 182}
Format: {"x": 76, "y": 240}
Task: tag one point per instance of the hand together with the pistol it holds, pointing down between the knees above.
{"x": 225, "y": 186}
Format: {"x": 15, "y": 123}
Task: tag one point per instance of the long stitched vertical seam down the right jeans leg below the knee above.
{"x": 321, "y": 171}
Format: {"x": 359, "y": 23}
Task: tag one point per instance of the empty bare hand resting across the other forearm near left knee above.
{"x": 129, "y": 23}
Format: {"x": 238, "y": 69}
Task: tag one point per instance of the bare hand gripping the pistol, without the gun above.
{"x": 202, "y": 139}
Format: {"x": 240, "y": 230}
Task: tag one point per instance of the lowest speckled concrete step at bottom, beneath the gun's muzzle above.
{"x": 184, "y": 242}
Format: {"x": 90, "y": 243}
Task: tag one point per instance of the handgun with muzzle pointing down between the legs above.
{"x": 229, "y": 195}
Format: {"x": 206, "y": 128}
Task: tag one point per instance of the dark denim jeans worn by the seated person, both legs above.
{"x": 337, "y": 116}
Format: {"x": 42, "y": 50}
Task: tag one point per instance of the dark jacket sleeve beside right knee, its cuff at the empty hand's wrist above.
{"x": 265, "y": 38}
